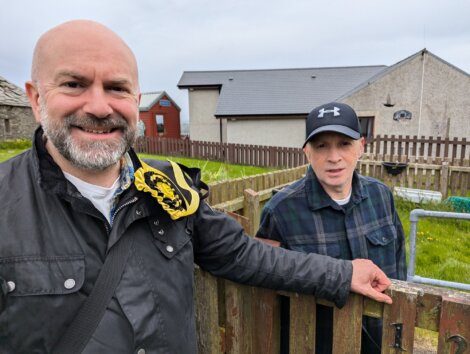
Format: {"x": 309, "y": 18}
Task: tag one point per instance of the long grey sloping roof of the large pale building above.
{"x": 280, "y": 91}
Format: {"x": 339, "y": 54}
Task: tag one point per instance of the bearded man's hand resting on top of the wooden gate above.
{"x": 369, "y": 280}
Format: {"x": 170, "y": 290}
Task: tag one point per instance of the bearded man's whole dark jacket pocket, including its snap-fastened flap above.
{"x": 42, "y": 300}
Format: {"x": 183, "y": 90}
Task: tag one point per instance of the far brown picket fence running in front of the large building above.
{"x": 404, "y": 147}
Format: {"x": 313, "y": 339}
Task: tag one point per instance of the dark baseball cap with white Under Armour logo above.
{"x": 333, "y": 117}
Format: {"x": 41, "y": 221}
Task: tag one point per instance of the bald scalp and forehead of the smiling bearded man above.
{"x": 82, "y": 38}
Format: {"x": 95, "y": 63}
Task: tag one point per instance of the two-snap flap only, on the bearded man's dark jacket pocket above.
{"x": 43, "y": 275}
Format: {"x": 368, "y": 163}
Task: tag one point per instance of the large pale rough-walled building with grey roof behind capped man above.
{"x": 420, "y": 95}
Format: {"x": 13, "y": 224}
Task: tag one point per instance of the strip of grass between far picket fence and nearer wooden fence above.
{"x": 214, "y": 171}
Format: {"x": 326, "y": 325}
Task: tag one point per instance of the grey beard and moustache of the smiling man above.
{"x": 95, "y": 155}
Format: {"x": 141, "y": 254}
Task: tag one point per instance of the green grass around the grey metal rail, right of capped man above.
{"x": 442, "y": 245}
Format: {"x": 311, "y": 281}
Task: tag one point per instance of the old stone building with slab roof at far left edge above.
{"x": 16, "y": 116}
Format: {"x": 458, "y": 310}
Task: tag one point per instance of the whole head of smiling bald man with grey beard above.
{"x": 87, "y": 94}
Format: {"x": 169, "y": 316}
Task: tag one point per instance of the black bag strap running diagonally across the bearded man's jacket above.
{"x": 91, "y": 312}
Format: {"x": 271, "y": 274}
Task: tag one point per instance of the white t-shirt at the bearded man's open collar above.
{"x": 101, "y": 197}
